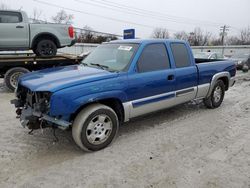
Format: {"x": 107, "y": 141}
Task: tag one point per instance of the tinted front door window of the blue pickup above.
{"x": 154, "y": 57}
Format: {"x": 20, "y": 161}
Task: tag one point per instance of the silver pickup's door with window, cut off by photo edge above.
{"x": 14, "y": 32}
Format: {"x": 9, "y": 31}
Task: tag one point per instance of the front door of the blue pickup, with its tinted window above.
{"x": 152, "y": 86}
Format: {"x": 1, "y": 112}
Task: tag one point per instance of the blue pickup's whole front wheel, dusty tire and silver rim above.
{"x": 85, "y": 119}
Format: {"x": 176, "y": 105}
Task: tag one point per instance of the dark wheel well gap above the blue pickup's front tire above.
{"x": 113, "y": 103}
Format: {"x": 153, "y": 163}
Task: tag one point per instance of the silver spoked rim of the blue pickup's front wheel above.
{"x": 99, "y": 129}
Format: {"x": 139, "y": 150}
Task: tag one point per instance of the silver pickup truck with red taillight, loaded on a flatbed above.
{"x": 16, "y": 33}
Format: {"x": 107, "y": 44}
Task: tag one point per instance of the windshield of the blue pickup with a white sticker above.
{"x": 112, "y": 57}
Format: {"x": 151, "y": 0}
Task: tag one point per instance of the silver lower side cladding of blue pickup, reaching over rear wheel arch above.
{"x": 181, "y": 96}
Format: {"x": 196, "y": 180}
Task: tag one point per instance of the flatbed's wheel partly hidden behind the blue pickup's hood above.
{"x": 12, "y": 75}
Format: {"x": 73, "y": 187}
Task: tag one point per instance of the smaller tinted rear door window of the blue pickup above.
{"x": 181, "y": 56}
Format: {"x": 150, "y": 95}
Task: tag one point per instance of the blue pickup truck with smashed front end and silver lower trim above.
{"x": 118, "y": 81}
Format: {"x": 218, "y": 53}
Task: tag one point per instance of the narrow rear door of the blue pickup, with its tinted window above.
{"x": 186, "y": 73}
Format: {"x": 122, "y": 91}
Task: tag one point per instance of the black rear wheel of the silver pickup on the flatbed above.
{"x": 45, "y": 48}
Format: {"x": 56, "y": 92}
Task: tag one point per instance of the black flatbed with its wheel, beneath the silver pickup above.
{"x": 12, "y": 66}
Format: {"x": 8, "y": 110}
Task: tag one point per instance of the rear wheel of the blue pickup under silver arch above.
{"x": 216, "y": 97}
